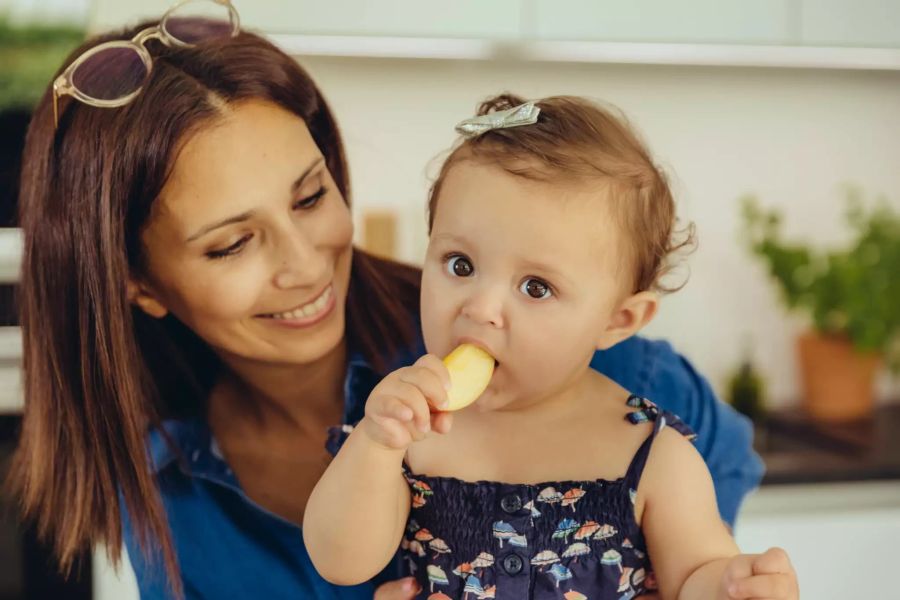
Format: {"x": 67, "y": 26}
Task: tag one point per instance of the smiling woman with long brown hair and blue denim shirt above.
{"x": 189, "y": 273}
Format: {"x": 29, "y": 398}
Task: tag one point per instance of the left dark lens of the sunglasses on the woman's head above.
{"x": 110, "y": 74}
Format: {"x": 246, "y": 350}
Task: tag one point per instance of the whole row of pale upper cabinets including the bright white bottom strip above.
{"x": 833, "y": 34}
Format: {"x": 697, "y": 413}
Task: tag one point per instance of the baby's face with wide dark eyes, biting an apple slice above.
{"x": 528, "y": 270}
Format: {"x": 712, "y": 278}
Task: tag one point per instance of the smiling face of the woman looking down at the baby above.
{"x": 249, "y": 243}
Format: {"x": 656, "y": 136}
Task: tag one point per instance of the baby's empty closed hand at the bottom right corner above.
{"x": 767, "y": 576}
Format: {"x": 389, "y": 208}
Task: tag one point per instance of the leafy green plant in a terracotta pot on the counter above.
{"x": 851, "y": 296}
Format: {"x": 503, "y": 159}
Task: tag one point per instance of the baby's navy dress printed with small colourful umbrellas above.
{"x": 570, "y": 540}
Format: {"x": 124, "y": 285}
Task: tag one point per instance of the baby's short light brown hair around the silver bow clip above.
{"x": 575, "y": 138}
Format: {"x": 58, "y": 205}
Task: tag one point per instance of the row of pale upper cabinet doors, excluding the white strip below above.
{"x": 859, "y": 23}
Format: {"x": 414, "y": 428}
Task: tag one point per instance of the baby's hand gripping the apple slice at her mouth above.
{"x": 398, "y": 411}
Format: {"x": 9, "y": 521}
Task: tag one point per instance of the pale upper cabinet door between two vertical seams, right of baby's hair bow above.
{"x": 691, "y": 21}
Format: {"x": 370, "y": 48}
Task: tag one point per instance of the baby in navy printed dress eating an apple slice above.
{"x": 550, "y": 232}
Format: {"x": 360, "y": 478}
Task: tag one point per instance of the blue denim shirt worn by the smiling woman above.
{"x": 230, "y": 547}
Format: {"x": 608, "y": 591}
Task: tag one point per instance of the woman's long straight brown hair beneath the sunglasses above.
{"x": 99, "y": 373}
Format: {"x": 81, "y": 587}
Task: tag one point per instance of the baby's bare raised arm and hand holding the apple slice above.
{"x": 357, "y": 512}
